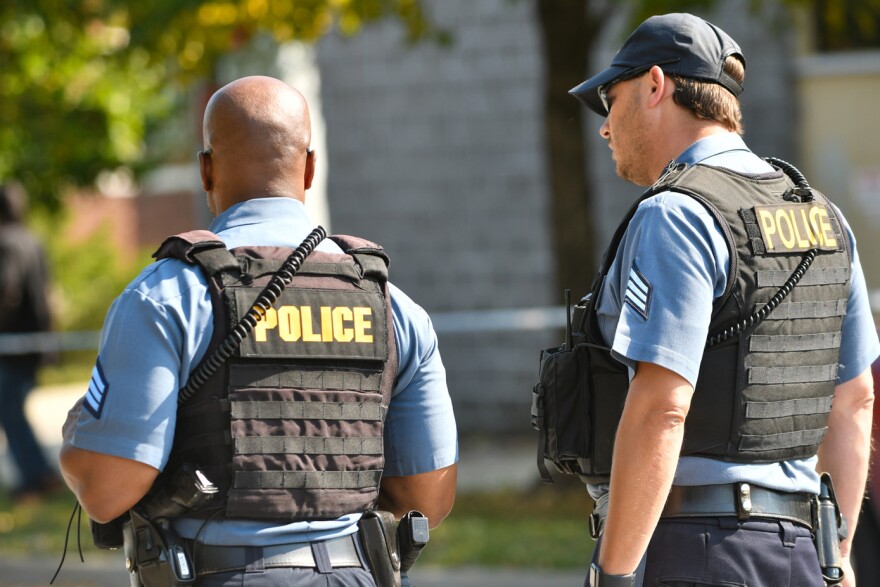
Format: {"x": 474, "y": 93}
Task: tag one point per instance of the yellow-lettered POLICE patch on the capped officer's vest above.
{"x": 798, "y": 227}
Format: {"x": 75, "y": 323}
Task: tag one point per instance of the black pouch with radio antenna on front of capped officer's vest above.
{"x": 577, "y": 403}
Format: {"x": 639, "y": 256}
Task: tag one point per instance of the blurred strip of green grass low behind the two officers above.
{"x": 543, "y": 527}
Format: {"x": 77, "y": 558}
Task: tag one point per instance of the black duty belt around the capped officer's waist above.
{"x": 742, "y": 500}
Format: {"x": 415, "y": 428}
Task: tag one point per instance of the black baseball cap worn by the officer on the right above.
{"x": 679, "y": 43}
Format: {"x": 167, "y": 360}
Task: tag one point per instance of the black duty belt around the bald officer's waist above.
{"x": 342, "y": 552}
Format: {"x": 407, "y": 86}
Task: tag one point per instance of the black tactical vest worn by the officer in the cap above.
{"x": 764, "y": 394}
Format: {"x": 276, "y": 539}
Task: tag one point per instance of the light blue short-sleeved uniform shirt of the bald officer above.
{"x": 159, "y": 329}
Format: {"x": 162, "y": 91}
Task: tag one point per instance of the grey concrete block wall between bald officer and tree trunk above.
{"x": 436, "y": 152}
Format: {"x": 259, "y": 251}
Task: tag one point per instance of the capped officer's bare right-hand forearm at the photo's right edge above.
{"x": 845, "y": 451}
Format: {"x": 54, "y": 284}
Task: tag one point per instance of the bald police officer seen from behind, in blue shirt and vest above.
{"x": 302, "y": 400}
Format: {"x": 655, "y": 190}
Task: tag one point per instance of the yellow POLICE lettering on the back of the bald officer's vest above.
{"x": 337, "y": 324}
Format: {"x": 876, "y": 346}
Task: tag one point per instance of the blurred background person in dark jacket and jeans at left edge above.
{"x": 24, "y": 309}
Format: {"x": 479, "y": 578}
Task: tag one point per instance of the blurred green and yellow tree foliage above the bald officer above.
{"x": 82, "y": 82}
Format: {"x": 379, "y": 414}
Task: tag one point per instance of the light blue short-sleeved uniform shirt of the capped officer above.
{"x": 656, "y": 304}
